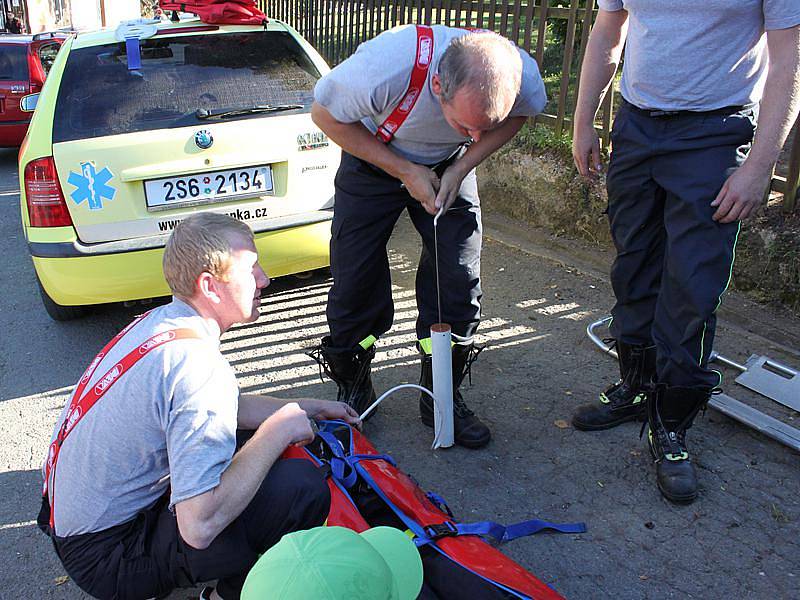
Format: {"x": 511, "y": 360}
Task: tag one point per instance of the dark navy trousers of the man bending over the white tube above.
{"x": 368, "y": 203}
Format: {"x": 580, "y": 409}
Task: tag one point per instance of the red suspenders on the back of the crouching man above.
{"x": 81, "y": 403}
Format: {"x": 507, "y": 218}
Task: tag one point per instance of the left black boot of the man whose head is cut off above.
{"x": 625, "y": 400}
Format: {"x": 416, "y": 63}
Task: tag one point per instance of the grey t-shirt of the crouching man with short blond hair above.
{"x": 169, "y": 420}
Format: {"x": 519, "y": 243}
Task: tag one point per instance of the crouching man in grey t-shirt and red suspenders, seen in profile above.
{"x": 146, "y": 488}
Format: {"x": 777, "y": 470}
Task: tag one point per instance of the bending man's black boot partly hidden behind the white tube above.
{"x": 469, "y": 431}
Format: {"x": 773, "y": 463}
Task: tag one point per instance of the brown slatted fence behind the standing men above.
{"x": 555, "y": 33}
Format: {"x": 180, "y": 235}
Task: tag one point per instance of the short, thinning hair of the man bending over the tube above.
{"x": 486, "y": 64}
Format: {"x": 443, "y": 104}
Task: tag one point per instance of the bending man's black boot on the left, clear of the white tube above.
{"x": 350, "y": 369}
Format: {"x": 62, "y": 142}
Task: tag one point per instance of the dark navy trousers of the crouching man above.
{"x": 147, "y": 557}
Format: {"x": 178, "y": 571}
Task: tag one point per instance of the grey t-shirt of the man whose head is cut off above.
{"x": 698, "y": 55}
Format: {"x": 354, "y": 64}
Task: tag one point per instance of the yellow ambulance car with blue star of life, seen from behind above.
{"x": 139, "y": 126}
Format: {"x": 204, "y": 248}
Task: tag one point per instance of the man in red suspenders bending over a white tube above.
{"x": 415, "y": 110}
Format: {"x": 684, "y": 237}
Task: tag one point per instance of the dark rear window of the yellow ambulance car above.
{"x": 99, "y": 95}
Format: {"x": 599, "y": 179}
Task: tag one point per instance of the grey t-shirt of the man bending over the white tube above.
{"x": 367, "y": 86}
